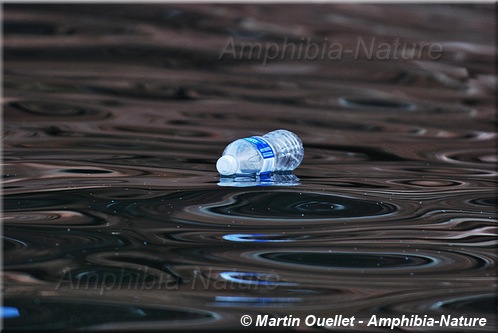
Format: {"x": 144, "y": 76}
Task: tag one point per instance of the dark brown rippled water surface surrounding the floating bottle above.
{"x": 114, "y": 116}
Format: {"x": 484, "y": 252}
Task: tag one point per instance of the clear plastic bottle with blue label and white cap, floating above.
{"x": 277, "y": 151}
